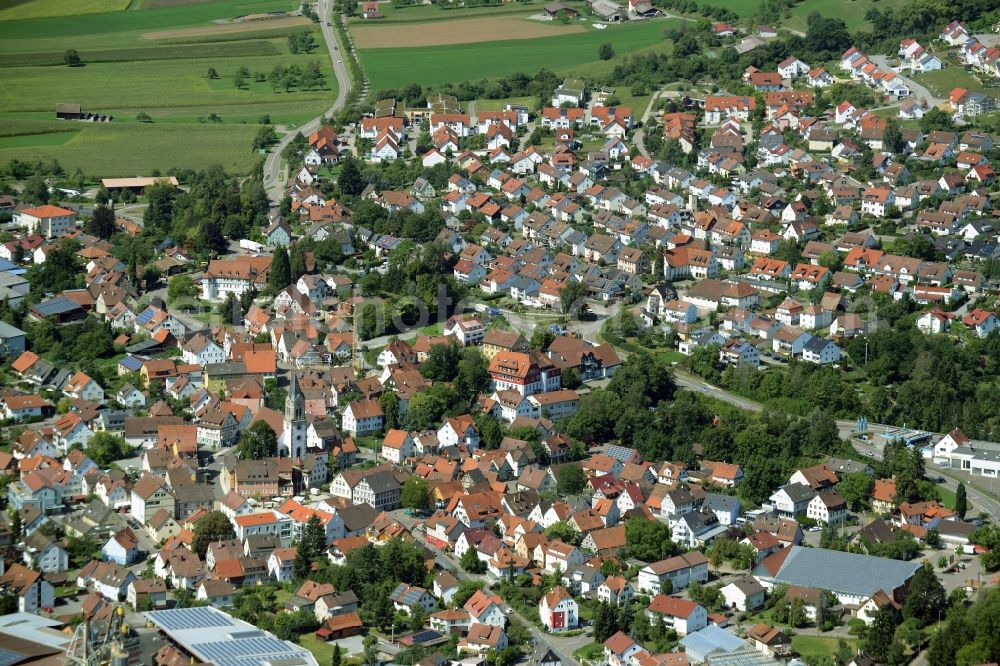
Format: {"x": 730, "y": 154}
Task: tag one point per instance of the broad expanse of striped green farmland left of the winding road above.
{"x": 126, "y": 72}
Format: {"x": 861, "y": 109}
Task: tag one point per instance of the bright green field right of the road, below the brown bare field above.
{"x": 564, "y": 54}
